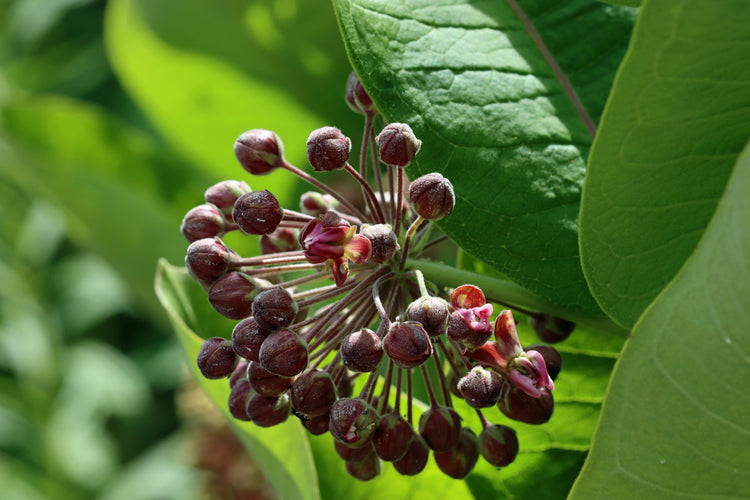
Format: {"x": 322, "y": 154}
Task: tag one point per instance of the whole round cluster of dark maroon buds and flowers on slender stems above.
{"x": 302, "y": 342}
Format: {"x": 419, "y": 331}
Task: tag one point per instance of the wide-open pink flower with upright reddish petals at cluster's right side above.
{"x": 525, "y": 369}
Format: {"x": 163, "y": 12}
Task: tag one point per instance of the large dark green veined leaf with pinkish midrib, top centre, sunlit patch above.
{"x": 494, "y": 118}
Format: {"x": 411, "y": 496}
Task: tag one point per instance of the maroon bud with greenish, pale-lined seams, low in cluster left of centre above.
{"x": 352, "y": 421}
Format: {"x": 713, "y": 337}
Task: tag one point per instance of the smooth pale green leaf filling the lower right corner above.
{"x": 675, "y": 422}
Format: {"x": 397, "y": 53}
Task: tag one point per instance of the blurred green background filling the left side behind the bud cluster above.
{"x": 114, "y": 118}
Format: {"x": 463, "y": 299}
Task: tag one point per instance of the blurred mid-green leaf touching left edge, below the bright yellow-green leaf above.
{"x": 118, "y": 187}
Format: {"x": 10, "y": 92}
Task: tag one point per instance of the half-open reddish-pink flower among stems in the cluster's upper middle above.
{"x": 333, "y": 240}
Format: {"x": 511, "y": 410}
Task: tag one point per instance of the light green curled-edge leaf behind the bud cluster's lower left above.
{"x": 282, "y": 452}
